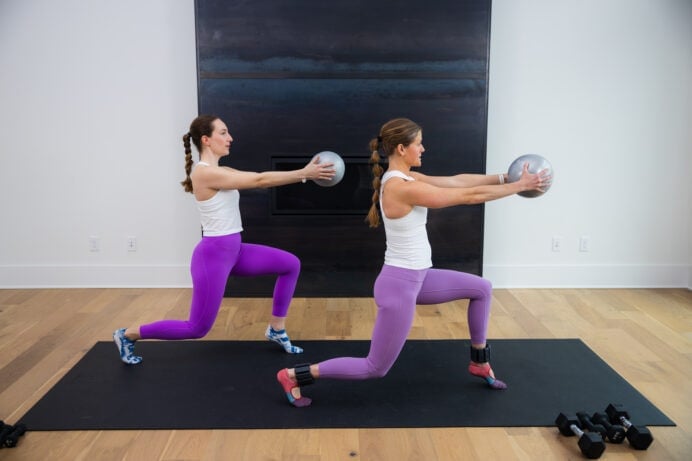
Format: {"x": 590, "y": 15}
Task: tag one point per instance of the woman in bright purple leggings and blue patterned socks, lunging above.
{"x": 221, "y": 251}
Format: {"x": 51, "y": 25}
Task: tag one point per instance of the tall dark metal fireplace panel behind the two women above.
{"x": 291, "y": 79}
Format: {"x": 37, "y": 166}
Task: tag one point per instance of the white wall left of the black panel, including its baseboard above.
{"x": 96, "y": 96}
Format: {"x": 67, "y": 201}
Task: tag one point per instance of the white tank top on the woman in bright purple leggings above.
{"x": 220, "y": 214}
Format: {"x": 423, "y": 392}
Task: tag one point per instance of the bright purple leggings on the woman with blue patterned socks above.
{"x": 213, "y": 260}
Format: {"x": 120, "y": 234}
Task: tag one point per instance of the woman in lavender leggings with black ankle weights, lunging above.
{"x": 407, "y": 278}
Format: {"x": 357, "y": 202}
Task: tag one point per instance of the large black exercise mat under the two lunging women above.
{"x": 232, "y": 385}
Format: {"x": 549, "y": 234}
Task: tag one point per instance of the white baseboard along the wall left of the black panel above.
{"x": 95, "y": 276}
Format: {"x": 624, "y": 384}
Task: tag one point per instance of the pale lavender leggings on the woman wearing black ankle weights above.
{"x": 397, "y": 291}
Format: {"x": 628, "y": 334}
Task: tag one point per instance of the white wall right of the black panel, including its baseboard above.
{"x": 602, "y": 89}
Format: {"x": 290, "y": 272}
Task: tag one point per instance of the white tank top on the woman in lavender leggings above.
{"x": 407, "y": 237}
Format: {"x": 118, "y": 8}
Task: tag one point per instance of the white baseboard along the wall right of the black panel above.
{"x": 589, "y": 276}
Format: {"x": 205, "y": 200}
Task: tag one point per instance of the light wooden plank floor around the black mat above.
{"x": 644, "y": 334}
